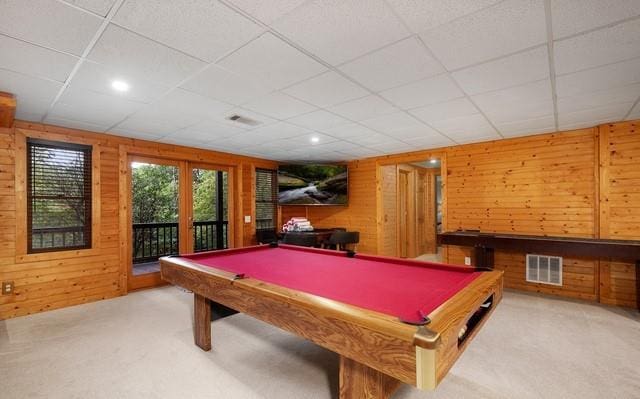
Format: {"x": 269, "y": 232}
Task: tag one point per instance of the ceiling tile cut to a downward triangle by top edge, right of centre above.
{"x": 421, "y": 15}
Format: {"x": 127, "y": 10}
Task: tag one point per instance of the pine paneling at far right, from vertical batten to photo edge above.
{"x": 619, "y": 206}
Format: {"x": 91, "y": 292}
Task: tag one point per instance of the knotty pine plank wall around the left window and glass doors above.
{"x": 55, "y": 280}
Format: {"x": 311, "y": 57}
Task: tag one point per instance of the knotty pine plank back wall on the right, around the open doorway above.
{"x": 543, "y": 184}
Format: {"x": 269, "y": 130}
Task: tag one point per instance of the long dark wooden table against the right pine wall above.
{"x": 484, "y": 245}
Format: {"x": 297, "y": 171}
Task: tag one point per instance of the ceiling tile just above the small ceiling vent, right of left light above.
{"x": 223, "y": 85}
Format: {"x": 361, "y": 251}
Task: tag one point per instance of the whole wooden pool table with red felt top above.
{"x": 391, "y": 320}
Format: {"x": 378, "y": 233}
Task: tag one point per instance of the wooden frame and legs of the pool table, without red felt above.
{"x": 377, "y": 351}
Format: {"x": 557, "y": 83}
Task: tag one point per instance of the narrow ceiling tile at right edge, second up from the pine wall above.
{"x": 599, "y": 99}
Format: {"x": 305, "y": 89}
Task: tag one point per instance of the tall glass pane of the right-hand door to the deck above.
{"x": 210, "y": 209}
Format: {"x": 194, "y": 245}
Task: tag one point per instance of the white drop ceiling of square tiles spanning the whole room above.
{"x": 360, "y": 77}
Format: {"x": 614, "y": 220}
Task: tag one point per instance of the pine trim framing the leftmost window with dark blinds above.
{"x": 21, "y": 250}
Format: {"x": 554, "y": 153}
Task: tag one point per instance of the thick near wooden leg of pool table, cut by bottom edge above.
{"x": 358, "y": 381}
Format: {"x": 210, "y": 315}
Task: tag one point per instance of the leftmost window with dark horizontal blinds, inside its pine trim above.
{"x": 58, "y": 196}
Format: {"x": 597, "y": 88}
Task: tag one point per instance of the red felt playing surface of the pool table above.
{"x": 407, "y": 289}
